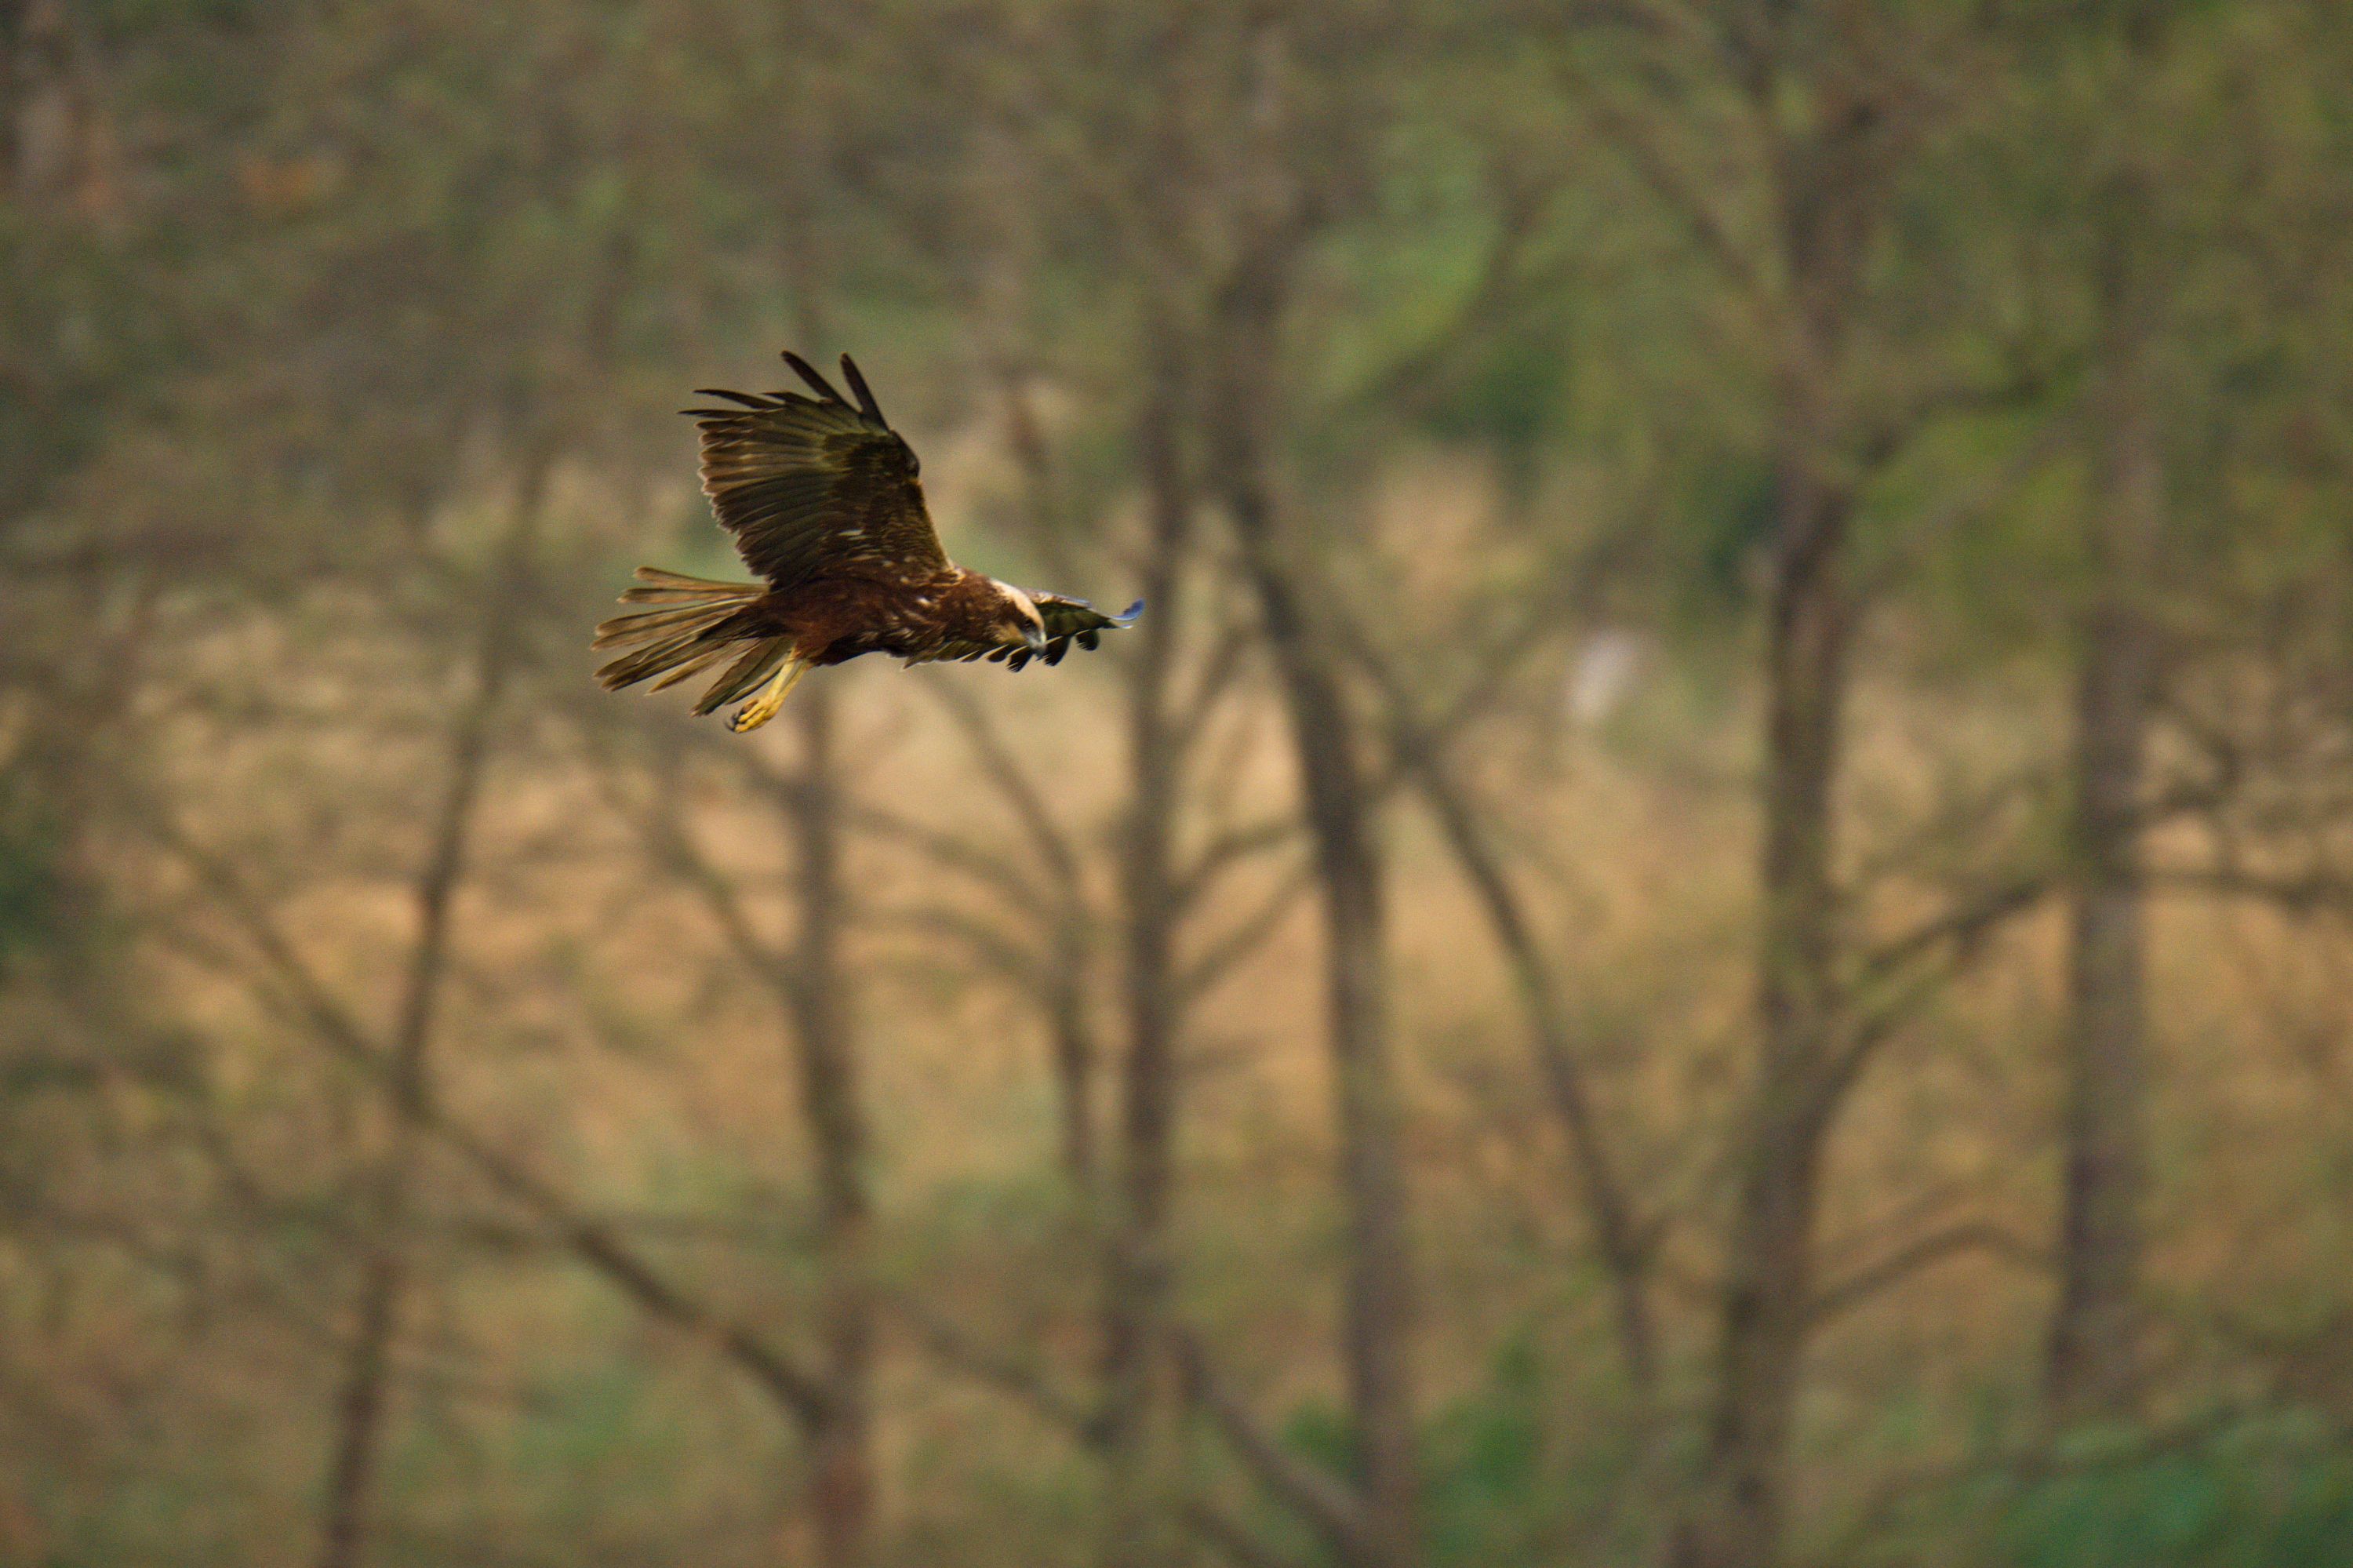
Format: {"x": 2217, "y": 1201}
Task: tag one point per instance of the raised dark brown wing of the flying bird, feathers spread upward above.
{"x": 815, "y": 486}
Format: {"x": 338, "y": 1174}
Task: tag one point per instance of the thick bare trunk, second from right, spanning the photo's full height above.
{"x": 1829, "y": 185}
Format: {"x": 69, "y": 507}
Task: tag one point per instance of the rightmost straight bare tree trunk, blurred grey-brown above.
{"x": 2095, "y": 1329}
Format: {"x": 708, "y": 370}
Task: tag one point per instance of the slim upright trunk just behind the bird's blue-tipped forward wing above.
{"x": 1138, "y": 1397}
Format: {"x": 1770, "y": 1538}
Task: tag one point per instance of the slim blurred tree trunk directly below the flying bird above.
{"x": 841, "y": 1435}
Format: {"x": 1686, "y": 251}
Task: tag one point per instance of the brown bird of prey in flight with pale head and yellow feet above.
{"x": 825, "y": 507}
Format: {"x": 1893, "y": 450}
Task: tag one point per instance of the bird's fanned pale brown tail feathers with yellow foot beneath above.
{"x": 698, "y": 625}
